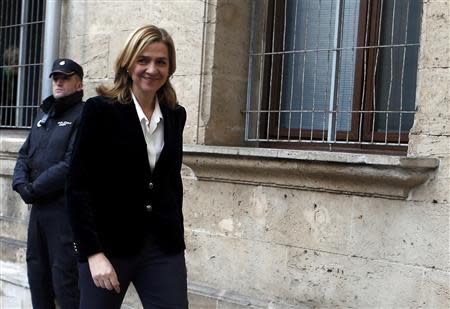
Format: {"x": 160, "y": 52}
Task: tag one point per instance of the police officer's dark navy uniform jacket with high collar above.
{"x": 44, "y": 158}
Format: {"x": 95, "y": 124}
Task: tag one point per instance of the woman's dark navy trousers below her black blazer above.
{"x": 159, "y": 279}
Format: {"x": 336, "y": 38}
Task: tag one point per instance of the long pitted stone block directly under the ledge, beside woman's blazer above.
{"x": 289, "y": 217}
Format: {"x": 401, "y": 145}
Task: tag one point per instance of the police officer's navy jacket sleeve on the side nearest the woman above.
{"x": 53, "y": 179}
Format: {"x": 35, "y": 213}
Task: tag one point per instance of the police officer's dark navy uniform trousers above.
{"x": 51, "y": 260}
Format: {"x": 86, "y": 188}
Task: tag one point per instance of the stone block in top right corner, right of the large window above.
{"x": 435, "y": 37}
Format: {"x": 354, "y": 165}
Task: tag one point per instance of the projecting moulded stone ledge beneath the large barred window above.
{"x": 357, "y": 174}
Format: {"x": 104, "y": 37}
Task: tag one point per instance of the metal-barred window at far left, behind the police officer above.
{"x": 21, "y": 51}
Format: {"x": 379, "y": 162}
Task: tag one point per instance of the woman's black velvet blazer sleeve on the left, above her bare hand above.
{"x": 78, "y": 195}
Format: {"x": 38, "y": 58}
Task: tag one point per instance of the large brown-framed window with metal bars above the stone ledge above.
{"x": 333, "y": 73}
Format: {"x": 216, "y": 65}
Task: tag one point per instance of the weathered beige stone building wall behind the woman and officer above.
{"x": 274, "y": 228}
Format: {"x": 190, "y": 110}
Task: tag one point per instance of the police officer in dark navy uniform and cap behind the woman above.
{"x": 39, "y": 178}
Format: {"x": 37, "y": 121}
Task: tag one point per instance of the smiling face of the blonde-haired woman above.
{"x": 151, "y": 69}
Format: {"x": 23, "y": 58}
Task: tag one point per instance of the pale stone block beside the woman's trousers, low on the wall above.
{"x": 259, "y": 270}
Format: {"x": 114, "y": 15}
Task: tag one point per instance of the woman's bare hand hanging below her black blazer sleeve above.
{"x": 103, "y": 272}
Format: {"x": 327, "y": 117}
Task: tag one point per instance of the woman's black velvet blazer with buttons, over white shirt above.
{"x": 113, "y": 198}
